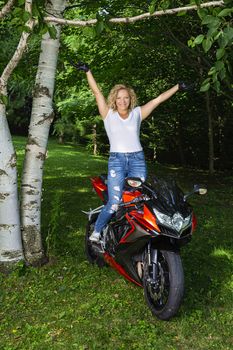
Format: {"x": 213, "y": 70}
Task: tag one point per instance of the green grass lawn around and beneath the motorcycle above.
{"x": 69, "y": 304}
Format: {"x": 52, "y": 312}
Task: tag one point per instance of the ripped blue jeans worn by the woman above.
{"x": 120, "y": 166}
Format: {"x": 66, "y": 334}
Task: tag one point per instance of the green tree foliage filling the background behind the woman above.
{"x": 150, "y": 56}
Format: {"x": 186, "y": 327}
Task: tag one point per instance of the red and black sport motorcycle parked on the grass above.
{"x": 142, "y": 241}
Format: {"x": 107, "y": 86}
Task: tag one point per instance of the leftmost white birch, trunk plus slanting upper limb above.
{"x": 11, "y": 249}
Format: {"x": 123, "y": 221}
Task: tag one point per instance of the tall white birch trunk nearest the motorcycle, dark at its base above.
{"x": 41, "y": 119}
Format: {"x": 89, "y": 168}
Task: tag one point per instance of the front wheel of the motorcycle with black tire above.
{"x": 164, "y": 295}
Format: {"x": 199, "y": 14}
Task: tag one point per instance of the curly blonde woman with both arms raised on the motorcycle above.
{"x": 122, "y": 120}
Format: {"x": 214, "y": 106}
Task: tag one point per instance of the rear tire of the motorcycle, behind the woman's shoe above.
{"x": 91, "y": 255}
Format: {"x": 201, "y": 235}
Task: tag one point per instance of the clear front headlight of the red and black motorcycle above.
{"x": 176, "y": 221}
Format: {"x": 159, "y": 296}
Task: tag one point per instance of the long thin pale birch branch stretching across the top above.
{"x": 77, "y": 23}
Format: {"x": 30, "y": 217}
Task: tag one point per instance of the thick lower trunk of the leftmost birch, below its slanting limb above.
{"x": 10, "y": 236}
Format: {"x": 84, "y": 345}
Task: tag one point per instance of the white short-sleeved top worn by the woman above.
{"x": 123, "y": 134}
